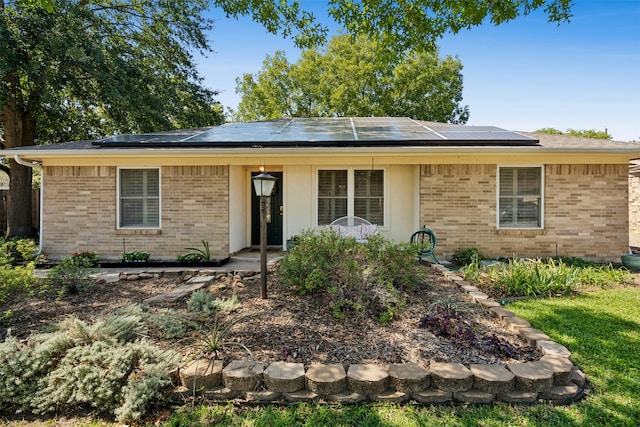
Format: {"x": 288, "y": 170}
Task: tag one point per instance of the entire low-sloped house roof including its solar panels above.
{"x": 300, "y": 133}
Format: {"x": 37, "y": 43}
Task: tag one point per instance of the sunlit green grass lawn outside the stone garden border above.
{"x": 601, "y": 328}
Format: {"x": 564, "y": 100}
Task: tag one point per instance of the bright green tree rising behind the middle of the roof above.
{"x": 354, "y": 79}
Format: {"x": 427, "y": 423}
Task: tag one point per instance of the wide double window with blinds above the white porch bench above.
{"x": 350, "y": 192}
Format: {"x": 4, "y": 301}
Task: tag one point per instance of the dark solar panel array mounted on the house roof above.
{"x": 339, "y": 131}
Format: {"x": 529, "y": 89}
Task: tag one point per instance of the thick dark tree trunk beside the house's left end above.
{"x": 19, "y": 131}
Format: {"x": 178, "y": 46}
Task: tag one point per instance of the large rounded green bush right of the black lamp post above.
{"x": 363, "y": 279}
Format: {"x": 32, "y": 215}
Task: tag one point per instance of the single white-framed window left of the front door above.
{"x": 139, "y": 198}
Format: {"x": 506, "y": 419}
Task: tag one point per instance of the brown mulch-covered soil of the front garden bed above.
{"x": 294, "y": 328}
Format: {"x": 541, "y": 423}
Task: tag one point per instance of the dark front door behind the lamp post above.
{"x": 274, "y": 214}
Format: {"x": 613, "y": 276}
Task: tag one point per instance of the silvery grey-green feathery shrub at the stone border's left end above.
{"x": 105, "y": 366}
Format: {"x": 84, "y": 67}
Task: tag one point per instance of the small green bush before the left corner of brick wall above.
{"x": 71, "y": 276}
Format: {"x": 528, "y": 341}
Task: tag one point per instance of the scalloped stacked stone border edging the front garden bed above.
{"x": 553, "y": 378}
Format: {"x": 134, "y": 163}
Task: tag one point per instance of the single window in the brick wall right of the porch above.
{"x": 520, "y": 197}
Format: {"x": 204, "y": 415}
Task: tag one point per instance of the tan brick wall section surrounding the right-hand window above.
{"x": 586, "y": 212}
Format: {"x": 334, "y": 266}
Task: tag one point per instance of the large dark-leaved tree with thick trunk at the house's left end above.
{"x": 89, "y": 69}
